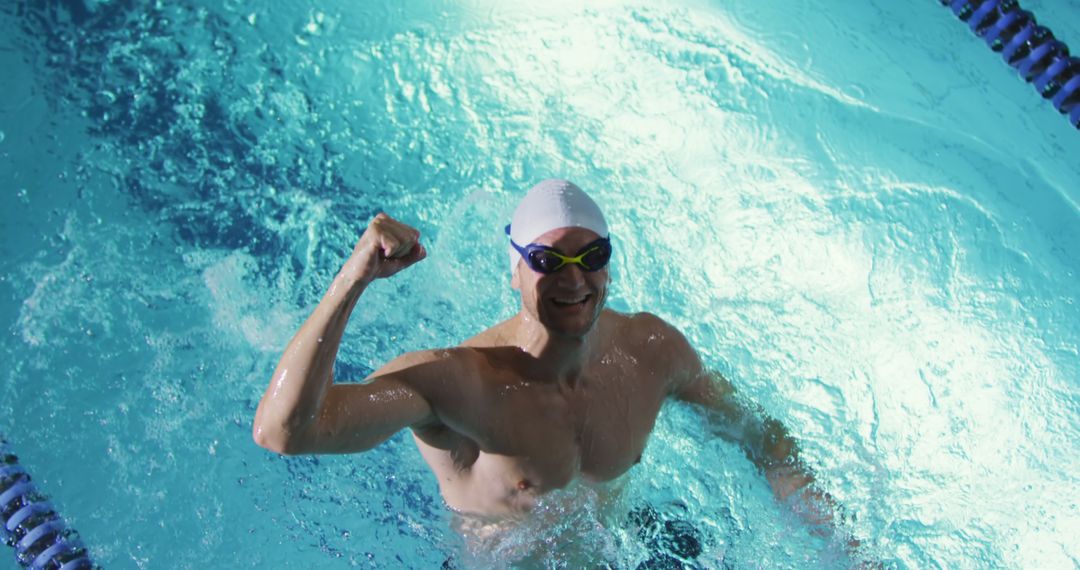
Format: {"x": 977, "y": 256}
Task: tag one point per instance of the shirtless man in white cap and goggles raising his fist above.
{"x": 565, "y": 390}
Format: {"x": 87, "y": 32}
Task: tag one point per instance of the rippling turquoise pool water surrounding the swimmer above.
{"x": 883, "y": 222}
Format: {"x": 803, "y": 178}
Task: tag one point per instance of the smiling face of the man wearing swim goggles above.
{"x": 569, "y": 302}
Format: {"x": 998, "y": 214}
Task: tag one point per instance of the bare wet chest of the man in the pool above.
{"x": 511, "y": 432}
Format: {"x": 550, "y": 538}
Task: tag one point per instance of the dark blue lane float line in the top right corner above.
{"x": 1029, "y": 48}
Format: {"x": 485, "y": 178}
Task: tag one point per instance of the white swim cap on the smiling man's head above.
{"x": 549, "y": 206}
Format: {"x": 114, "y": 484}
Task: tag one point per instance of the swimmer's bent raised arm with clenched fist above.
{"x": 302, "y": 411}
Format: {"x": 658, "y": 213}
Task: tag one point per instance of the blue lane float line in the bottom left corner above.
{"x": 43, "y": 541}
